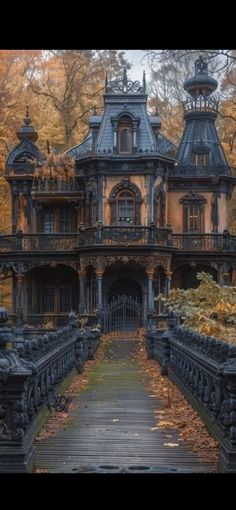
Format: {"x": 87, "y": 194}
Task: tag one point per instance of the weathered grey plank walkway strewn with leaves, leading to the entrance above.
{"x": 110, "y": 431}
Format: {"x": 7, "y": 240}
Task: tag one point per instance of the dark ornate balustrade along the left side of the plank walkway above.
{"x": 30, "y": 374}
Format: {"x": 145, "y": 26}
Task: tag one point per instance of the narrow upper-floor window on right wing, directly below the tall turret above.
{"x": 193, "y": 213}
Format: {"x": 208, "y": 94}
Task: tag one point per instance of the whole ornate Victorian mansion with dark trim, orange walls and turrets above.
{"x": 136, "y": 217}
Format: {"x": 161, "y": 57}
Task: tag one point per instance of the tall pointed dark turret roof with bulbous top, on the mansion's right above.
{"x": 200, "y": 148}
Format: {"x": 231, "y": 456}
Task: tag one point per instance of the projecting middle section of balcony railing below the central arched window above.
{"x": 125, "y": 235}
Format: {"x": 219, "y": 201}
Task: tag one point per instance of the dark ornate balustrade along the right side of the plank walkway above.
{"x": 204, "y": 368}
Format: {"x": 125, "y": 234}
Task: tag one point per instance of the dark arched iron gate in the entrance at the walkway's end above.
{"x": 124, "y": 313}
